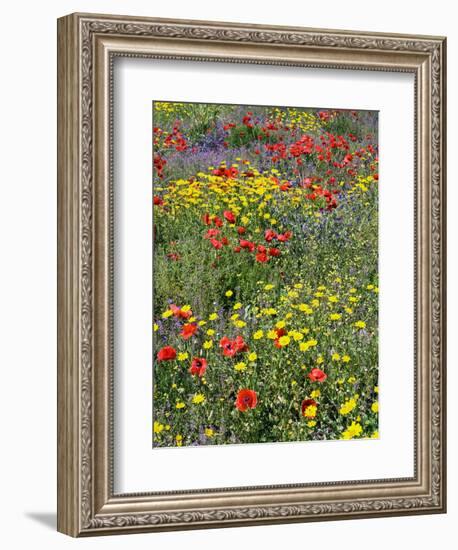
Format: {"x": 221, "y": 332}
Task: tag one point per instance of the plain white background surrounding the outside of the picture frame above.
{"x": 28, "y": 274}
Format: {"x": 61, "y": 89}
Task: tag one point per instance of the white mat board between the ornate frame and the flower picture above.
{"x": 137, "y": 467}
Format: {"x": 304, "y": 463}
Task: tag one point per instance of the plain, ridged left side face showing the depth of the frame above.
{"x": 68, "y": 279}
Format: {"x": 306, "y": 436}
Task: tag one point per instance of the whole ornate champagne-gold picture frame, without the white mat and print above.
{"x": 87, "y": 46}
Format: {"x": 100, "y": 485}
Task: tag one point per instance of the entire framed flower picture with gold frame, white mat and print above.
{"x": 251, "y": 293}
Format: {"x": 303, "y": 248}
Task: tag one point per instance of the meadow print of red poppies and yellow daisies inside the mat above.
{"x": 265, "y": 274}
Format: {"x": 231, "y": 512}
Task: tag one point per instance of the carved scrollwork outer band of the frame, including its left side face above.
{"x": 76, "y": 421}
